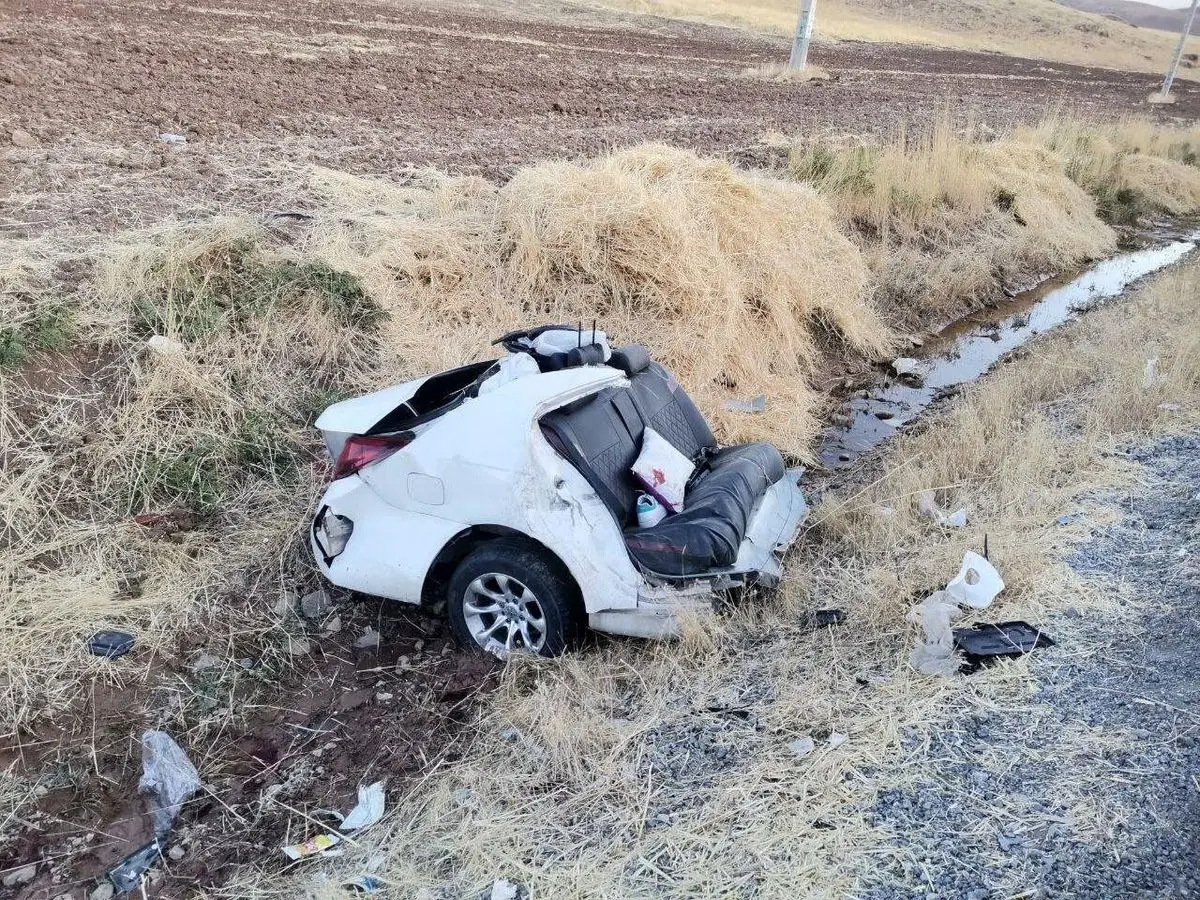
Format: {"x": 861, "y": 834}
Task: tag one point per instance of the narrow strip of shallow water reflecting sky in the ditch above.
{"x": 965, "y": 350}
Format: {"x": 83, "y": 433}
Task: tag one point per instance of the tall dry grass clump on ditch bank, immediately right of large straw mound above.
{"x": 946, "y": 219}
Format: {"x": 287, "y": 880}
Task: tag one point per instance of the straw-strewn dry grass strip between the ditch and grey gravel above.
{"x": 641, "y": 770}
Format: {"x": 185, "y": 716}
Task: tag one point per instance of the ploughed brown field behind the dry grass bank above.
{"x": 260, "y": 87}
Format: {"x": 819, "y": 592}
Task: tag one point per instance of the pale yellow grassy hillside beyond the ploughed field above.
{"x": 1039, "y": 29}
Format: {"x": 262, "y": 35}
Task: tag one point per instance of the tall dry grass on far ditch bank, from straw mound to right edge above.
{"x": 949, "y": 218}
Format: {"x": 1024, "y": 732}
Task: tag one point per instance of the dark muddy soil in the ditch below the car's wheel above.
{"x": 299, "y": 742}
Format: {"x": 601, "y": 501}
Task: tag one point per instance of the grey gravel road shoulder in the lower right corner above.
{"x": 1093, "y": 789}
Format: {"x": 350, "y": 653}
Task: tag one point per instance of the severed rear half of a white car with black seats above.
{"x": 503, "y": 490}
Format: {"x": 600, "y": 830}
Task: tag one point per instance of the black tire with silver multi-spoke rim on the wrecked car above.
{"x": 509, "y": 596}
